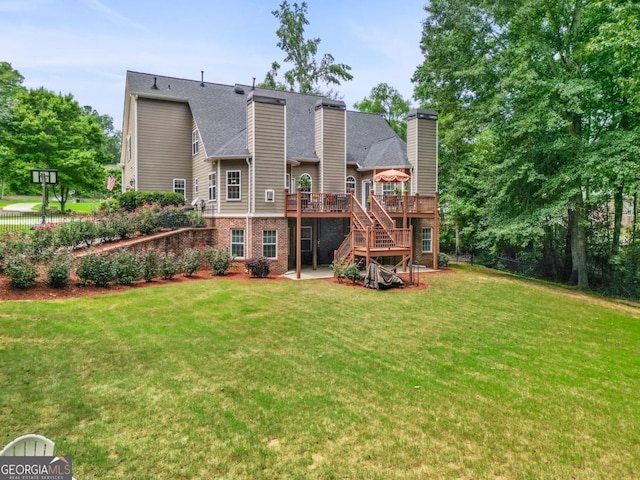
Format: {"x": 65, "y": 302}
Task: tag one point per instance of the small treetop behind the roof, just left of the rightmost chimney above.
{"x": 388, "y": 102}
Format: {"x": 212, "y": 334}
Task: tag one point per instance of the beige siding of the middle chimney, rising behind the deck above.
{"x": 332, "y": 149}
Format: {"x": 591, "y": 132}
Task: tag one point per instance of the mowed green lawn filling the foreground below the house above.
{"x": 480, "y": 376}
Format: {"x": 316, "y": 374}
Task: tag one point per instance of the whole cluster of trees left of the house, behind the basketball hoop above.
{"x": 44, "y": 130}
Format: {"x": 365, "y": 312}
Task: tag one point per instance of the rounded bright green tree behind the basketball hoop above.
{"x": 52, "y": 131}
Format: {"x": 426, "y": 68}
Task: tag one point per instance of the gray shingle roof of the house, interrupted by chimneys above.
{"x": 220, "y": 112}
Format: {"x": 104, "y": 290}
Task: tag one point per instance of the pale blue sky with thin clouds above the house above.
{"x": 85, "y": 47}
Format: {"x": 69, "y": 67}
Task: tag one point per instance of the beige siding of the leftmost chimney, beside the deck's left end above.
{"x": 268, "y": 156}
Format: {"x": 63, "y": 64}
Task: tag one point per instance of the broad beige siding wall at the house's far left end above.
{"x": 164, "y": 130}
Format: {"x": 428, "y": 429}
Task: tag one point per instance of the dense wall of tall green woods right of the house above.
{"x": 539, "y": 133}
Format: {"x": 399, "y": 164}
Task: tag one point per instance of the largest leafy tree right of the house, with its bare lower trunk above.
{"x": 529, "y": 73}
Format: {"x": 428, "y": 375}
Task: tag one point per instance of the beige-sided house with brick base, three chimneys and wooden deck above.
{"x": 285, "y": 175}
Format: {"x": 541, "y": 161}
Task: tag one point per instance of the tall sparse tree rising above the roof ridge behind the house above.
{"x": 307, "y": 74}
